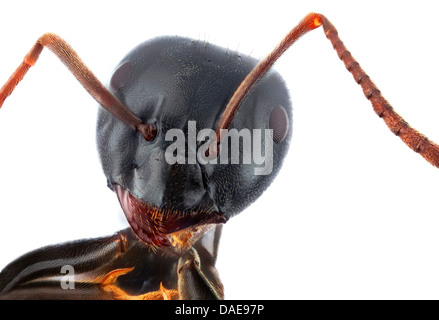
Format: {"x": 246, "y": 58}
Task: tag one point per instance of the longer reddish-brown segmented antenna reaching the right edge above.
{"x": 411, "y": 137}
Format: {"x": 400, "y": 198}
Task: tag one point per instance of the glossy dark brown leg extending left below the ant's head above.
{"x": 39, "y": 274}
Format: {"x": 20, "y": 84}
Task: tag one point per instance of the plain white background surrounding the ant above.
{"x": 353, "y": 213}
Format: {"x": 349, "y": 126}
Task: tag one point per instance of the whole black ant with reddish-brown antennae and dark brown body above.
{"x": 176, "y": 198}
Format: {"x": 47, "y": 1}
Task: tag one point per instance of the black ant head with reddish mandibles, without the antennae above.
{"x": 183, "y": 86}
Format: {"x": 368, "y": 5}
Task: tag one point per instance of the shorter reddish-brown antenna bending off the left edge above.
{"x": 88, "y": 80}
